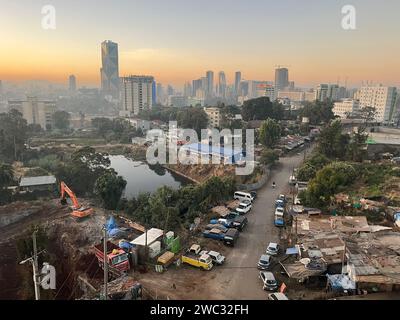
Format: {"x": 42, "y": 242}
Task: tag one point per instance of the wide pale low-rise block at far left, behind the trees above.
{"x": 36, "y": 111}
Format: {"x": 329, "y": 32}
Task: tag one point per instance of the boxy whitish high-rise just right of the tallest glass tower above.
{"x": 137, "y": 94}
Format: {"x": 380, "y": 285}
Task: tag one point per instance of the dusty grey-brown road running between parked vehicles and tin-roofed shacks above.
{"x": 239, "y": 278}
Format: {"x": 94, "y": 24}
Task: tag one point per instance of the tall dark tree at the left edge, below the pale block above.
{"x": 13, "y": 134}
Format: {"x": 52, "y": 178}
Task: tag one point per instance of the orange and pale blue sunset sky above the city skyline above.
{"x": 178, "y": 40}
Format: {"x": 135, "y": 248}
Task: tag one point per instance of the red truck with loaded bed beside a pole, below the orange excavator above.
{"x": 117, "y": 258}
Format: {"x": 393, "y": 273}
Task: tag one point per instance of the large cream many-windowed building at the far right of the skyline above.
{"x": 383, "y": 99}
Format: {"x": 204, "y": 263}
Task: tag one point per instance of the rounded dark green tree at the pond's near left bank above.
{"x": 109, "y": 187}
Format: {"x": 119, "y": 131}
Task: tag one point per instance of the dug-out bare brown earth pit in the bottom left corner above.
{"x": 68, "y": 249}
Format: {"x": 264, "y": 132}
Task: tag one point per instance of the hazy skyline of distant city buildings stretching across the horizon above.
{"x": 135, "y": 93}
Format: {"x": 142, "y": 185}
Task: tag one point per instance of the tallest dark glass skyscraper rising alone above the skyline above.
{"x": 110, "y": 80}
